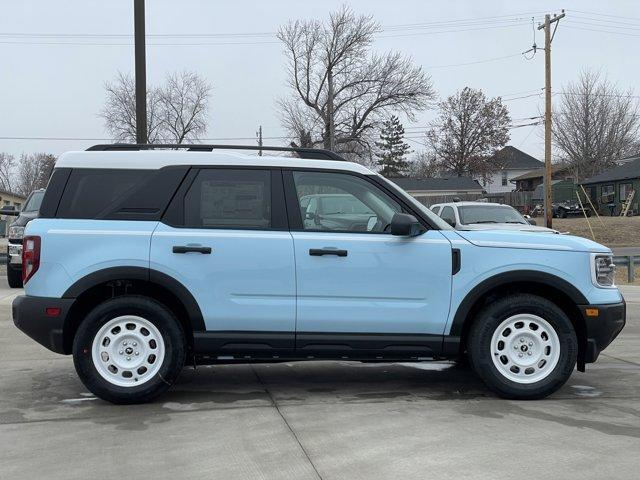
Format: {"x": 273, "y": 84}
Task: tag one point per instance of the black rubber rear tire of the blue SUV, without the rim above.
{"x": 153, "y": 312}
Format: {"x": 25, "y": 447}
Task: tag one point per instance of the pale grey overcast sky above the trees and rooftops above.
{"x": 52, "y": 85}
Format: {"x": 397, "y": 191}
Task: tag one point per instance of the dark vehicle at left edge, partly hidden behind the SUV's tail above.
{"x": 15, "y": 234}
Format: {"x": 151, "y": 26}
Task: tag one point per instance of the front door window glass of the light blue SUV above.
{"x": 343, "y": 202}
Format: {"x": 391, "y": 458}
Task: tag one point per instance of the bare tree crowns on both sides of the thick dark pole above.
{"x": 176, "y": 111}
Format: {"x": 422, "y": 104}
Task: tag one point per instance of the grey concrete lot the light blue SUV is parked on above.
{"x": 318, "y": 420}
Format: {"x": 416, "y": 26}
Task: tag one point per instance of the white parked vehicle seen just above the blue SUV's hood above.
{"x": 485, "y": 216}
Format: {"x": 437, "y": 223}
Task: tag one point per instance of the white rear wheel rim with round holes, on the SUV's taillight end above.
{"x": 128, "y": 351}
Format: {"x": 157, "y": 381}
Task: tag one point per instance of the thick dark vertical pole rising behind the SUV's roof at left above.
{"x": 141, "y": 71}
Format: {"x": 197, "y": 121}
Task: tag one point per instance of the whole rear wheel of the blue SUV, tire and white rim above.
{"x": 129, "y": 349}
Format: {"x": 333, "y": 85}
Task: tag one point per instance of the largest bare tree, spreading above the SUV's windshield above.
{"x": 345, "y": 91}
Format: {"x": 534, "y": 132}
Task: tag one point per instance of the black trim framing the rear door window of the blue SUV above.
{"x": 174, "y": 215}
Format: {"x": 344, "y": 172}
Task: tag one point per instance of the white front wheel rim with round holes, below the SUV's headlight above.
{"x": 525, "y": 348}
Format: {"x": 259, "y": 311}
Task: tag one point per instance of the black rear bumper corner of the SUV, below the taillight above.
{"x": 30, "y": 316}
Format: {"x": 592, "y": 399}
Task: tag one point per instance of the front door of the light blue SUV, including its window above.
{"x": 358, "y": 286}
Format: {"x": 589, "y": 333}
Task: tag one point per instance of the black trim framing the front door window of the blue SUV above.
{"x": 295, "y": 216}
